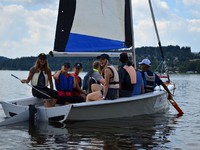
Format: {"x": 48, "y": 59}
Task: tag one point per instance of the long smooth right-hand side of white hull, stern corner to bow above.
{"x": 123, "y": 107}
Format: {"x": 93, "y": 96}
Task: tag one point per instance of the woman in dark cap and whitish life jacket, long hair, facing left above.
{"x": 110, "y": 74}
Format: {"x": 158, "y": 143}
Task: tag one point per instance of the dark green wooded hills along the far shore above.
{"x": 178, "y": 59}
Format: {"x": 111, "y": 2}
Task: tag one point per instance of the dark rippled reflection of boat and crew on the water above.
{"x": 144, "y": 132}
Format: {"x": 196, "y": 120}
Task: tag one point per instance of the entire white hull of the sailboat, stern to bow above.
{"x": 148, "y": 103}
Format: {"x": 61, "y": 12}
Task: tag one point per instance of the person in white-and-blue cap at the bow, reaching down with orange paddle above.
{"x": 150, "y": 78}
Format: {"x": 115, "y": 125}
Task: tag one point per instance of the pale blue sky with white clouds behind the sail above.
{"x": 27, "y": 27}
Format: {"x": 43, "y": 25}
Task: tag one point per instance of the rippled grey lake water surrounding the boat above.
{"x": 159, "y": 131}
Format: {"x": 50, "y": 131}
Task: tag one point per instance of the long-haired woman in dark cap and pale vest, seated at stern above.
{"x": 40, "y": 76}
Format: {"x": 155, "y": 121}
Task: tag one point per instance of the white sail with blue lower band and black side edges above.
{"x": 93, "y": 26}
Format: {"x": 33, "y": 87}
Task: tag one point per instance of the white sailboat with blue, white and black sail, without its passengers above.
{"x": 87, "y": 28}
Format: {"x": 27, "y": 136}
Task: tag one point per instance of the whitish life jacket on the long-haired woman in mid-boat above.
{"x": 115, "y": 82}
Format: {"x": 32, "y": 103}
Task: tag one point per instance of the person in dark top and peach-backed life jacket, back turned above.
{"x": 127, "y": 76}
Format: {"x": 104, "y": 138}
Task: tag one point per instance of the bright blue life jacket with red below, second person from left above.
{"x": 64, "y": 85}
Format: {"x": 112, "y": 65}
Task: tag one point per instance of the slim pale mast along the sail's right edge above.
{"x": 132, "y": 30}
